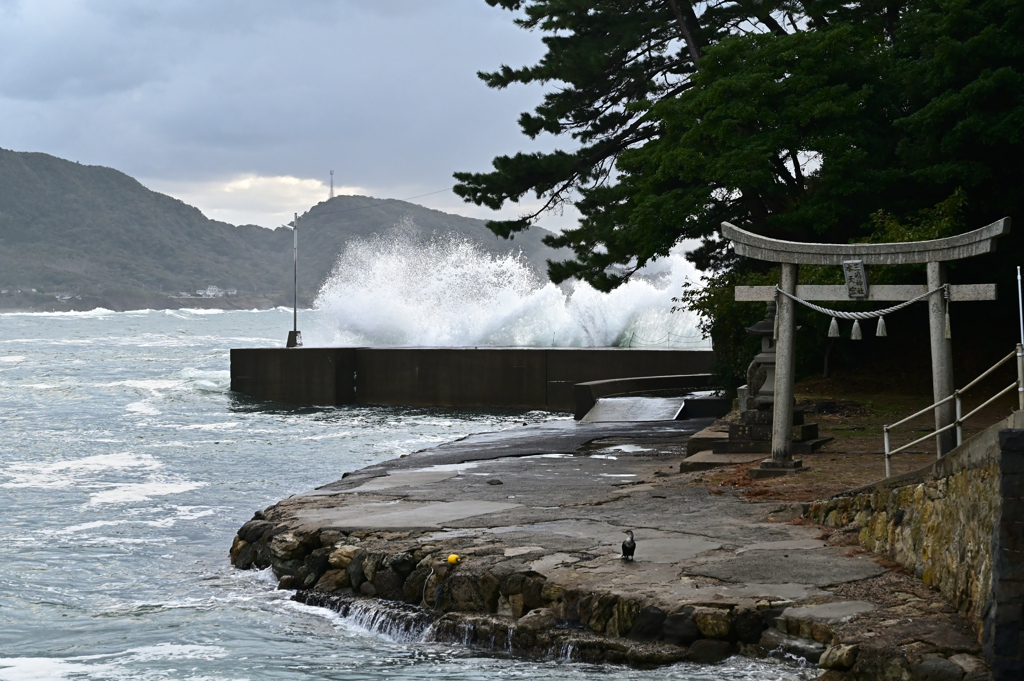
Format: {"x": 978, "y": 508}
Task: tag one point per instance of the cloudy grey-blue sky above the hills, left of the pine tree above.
{"x": 242, "y": 108}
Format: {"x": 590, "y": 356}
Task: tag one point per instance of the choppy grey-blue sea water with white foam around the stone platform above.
{"x": 126, "y": 467}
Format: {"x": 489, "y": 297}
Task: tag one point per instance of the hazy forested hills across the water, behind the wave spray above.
{"x": 99, "y": 234}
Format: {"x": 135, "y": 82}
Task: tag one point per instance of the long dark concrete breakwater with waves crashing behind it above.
{"x": 505, "y": 378}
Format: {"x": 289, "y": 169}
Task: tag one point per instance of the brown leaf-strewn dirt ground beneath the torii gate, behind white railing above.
{"x": 855, "y": 413}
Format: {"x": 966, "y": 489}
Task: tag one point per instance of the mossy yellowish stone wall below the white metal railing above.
{"x": 959, "y": 526}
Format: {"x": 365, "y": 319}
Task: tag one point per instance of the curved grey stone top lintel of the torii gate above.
{"x": 978, "y": 242}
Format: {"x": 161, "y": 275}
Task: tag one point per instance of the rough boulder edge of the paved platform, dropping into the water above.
{"x": 498, "y": 603}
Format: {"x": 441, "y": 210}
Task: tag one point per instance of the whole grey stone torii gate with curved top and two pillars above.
{"x": 854, "y": 258}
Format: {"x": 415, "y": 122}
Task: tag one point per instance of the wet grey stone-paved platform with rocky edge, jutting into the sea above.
{"x": 537, "y": 517}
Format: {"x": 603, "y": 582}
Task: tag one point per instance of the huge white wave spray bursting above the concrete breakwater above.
{"x": 395, "y": 290}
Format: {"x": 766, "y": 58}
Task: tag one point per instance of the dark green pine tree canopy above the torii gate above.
{"x": 798, "y": 119}
